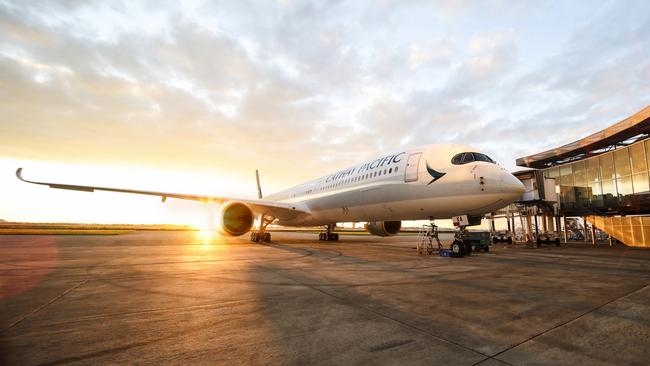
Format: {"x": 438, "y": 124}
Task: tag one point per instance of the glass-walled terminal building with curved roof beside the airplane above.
{"x": 603, "y": 178}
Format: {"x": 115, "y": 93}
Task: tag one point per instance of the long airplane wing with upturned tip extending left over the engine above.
{"x": 276, "y": 209}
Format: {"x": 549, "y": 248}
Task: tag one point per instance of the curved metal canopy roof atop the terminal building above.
{"x": 622, "y": 133}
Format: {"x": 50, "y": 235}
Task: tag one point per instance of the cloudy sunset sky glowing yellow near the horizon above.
{"x": 193, "y": 97}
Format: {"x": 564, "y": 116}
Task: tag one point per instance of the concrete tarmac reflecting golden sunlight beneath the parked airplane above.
{"x": 188, "y": 298}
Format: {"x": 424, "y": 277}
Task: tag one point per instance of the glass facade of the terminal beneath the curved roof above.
{"x": 604, "y": 181}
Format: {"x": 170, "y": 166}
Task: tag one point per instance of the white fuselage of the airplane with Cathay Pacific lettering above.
{"x": 415, "y": 184}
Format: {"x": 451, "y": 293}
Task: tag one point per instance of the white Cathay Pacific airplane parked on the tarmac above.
{"x": 438, "y": 181}
